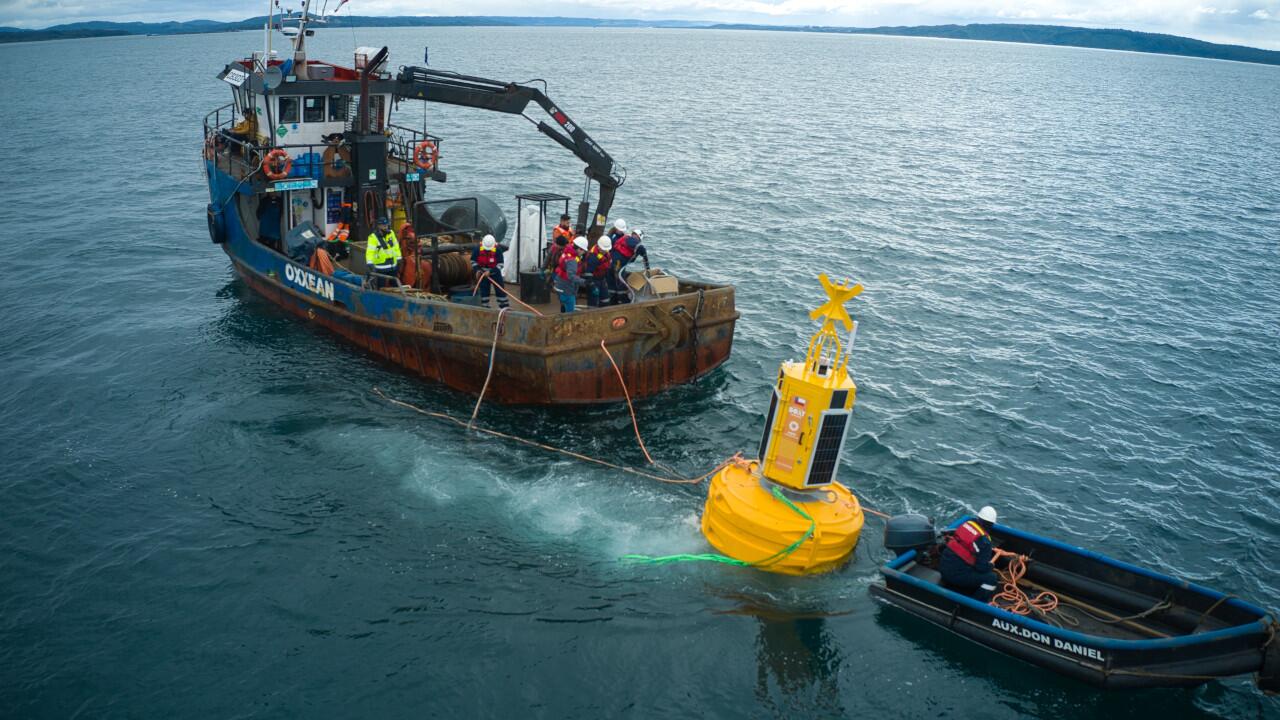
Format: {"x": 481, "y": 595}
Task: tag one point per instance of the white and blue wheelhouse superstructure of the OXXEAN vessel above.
{"x": 312, "y": 116}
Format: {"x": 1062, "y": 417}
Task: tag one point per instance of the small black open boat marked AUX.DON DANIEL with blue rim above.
{"x": 1084, "y": 614}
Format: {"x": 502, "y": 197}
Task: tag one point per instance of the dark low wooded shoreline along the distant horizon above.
{"x": 1062, "y": 37}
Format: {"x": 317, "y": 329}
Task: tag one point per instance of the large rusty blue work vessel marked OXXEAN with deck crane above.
{"x": 324, "y": 160}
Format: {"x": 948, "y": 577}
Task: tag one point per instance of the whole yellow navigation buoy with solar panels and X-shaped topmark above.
{"x": 787, "y": 513}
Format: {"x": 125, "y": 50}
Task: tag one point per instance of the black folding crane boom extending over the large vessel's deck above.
{"x": 469, "y": 92}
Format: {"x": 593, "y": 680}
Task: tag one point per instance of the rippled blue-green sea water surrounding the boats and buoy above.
{"x": 1071, "y": 261}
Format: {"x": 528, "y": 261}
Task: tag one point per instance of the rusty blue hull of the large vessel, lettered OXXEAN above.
{"x": 543, "y": 361}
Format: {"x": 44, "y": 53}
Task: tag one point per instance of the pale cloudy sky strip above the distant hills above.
{"x": 1244, "y": 22}
